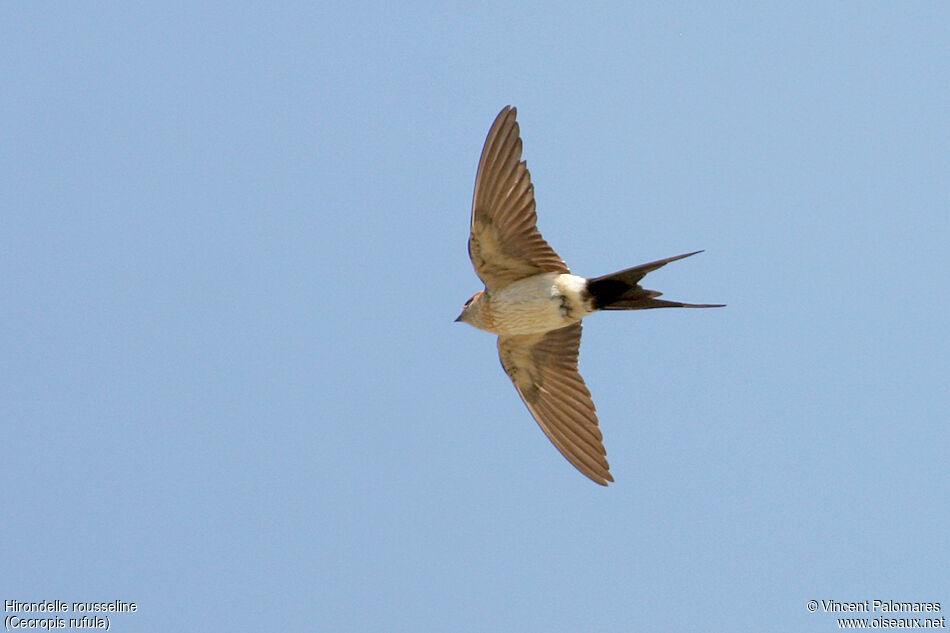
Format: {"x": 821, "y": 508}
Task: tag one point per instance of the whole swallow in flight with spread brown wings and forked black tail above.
{"x": 535, "y": 305}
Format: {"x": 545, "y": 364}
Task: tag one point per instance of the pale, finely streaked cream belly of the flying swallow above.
{"x": 533, "y": 305}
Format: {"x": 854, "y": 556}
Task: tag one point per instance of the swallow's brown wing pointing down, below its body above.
{"x": 544, "y": 370}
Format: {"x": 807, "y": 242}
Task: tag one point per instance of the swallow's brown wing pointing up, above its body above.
{"x": 505, "y": 244}
